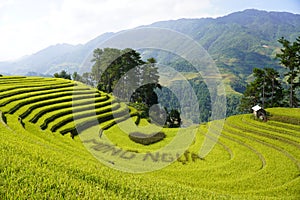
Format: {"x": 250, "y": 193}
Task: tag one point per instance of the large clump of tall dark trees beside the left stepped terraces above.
{"x": 126, "y": 70}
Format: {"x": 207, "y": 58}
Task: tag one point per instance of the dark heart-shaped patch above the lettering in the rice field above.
{"x": 146, "y": 139}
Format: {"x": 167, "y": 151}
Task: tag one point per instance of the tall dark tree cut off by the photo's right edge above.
{"x": 290, "y": 59}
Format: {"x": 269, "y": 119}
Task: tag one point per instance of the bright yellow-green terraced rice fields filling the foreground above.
{"x": 44, "y": 156}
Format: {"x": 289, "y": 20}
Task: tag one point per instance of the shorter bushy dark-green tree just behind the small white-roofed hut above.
{"x": 265, "y": 90}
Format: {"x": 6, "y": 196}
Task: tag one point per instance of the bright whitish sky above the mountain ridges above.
{"x": 27, "y": 26}
